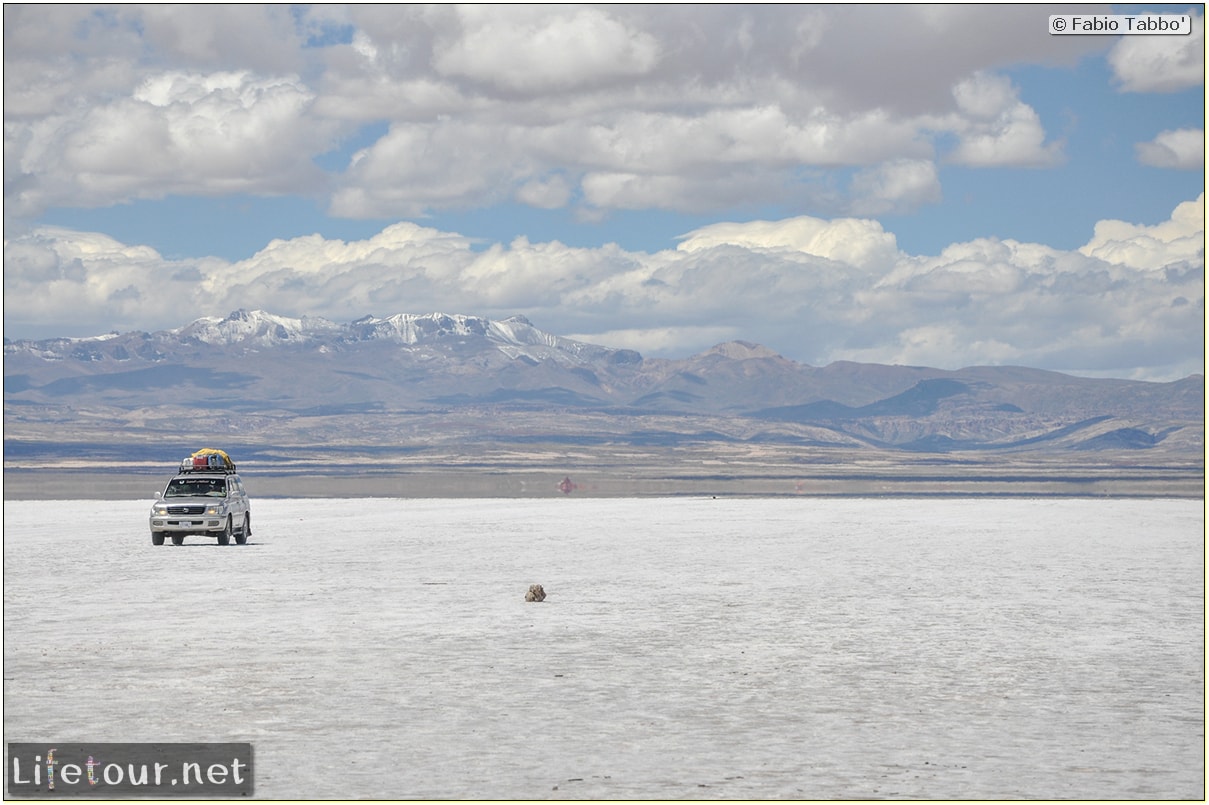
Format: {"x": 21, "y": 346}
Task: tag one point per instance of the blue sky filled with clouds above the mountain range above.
{"x": 929, "y": 186}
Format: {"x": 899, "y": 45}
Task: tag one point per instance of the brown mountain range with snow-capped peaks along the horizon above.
{"x": 441, "y": 378}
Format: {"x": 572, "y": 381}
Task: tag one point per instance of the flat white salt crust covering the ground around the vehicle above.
{"x": 687, "y": 648}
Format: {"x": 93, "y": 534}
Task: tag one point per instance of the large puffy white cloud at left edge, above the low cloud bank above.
{"x": 173, "y": 134}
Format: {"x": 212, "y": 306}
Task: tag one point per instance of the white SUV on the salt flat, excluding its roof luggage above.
{"x": 206, "y": 503}
